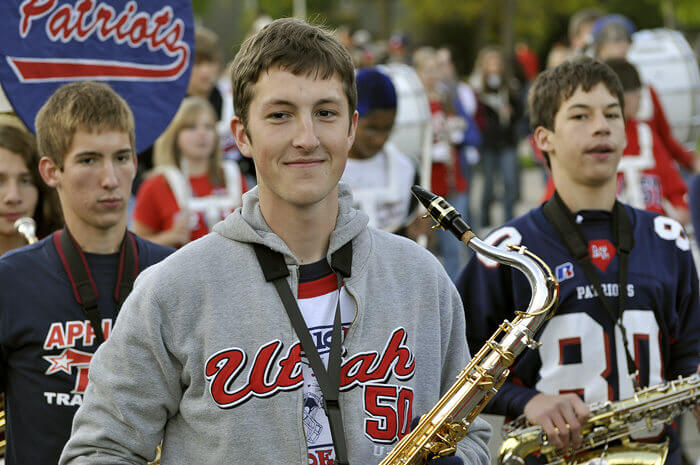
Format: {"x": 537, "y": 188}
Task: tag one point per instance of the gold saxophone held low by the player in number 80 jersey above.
{"x": 645, "y": 411}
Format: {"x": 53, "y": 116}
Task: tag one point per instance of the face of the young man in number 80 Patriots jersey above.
{"x": 587, "y": 141}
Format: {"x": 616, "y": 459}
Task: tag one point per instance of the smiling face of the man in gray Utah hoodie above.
{"x": 298, "y": 133}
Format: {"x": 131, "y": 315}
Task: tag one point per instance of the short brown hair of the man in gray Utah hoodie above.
{"x": 297, "y": 47}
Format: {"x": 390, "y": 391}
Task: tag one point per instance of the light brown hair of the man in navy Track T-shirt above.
{"x": 82, "y": 105}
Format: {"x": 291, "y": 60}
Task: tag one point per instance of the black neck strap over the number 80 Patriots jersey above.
{"x": 571, "y": 235}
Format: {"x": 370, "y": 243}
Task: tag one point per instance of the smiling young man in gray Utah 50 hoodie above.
{"x": 205, "y": 357}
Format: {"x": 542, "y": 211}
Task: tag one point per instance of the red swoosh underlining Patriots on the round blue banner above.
{"x": 29, "y": 70}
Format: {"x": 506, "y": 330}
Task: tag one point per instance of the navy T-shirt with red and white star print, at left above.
{"x": 47, "y": 344}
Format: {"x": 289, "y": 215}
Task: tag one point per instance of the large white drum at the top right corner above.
{"x": 666, "y": 61}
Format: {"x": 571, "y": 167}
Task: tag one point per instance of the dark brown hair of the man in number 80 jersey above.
{"x": 553, "y": 86}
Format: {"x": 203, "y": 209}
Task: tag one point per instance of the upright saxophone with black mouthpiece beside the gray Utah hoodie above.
{"x": 439, "y": 430}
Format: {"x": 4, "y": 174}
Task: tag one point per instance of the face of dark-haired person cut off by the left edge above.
{"x": 18, "y": 194}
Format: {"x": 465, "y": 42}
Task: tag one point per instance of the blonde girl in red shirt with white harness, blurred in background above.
{"x": 191, "y": 187}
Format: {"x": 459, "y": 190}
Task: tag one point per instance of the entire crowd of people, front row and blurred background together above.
{"x": 275, "y": 313}
